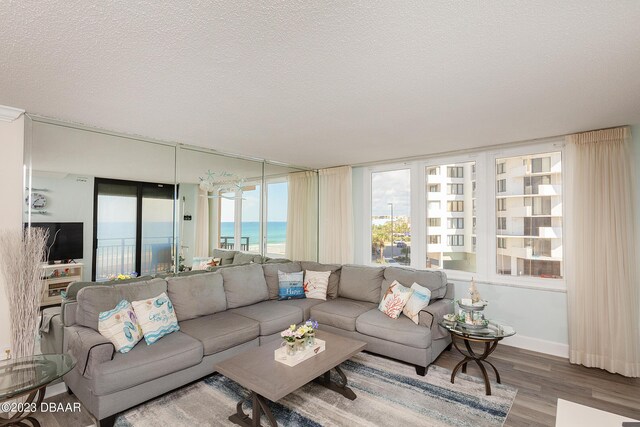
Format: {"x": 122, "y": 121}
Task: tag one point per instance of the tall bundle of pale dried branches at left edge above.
{"x": 21, "y": 255}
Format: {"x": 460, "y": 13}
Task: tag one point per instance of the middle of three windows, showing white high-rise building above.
{"x": 458, "y": 253}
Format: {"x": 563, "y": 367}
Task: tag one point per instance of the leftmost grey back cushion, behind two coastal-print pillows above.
{"x": 92, "y": 300}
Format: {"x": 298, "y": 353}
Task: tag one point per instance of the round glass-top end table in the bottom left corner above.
{"x": 29, "y": 376}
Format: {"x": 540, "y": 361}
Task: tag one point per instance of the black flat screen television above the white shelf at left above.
{"x": 65, "y": 240}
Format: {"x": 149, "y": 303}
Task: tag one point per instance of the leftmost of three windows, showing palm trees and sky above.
{"x": 391, "y": 217}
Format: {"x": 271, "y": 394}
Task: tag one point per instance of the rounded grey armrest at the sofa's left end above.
{"x": 88, "y": 347}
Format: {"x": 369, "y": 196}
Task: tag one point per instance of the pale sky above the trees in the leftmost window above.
{"x": 391, "y": 187}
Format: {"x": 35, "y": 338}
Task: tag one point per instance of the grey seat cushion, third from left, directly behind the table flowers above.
{"x": 273, "y": 316}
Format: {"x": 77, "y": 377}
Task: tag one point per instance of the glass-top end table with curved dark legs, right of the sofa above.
{"x": 488, "y": 336}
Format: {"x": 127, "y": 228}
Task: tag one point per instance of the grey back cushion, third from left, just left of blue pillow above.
{"x": 244, "y": 285}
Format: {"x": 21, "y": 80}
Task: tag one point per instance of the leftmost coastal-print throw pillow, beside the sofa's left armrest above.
{"x": 120, "y": 326}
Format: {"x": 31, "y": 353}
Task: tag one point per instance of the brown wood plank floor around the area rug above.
{"x": 541, "y": 379}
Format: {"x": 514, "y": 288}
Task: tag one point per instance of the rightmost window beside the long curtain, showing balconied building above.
{"x": 533, "y": 246}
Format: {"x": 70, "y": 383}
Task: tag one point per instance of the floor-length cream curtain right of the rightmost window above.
{"x": 601, "y": 263}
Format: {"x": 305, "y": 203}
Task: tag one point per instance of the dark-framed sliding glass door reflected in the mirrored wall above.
{"x": 133, "y": 228}
